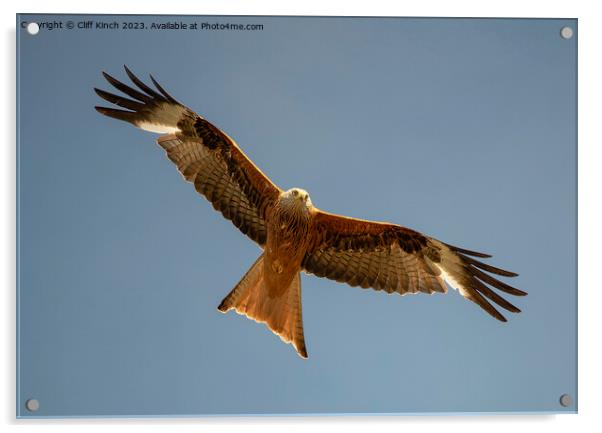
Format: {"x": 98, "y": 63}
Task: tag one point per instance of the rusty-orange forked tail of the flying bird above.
{"x": 281, "y": 314}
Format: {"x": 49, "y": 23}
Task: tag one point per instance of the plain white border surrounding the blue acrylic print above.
{"x": 590, "y": 141}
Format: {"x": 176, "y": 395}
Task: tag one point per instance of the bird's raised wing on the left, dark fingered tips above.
{"x": 204, "y": 155}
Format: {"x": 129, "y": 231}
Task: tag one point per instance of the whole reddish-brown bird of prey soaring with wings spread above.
{"x": 294, "y": 234}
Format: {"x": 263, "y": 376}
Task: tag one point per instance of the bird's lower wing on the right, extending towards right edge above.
{"x": 392, "y": 258}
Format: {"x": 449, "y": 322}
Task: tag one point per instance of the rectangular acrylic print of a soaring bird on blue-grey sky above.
{"x": 461, "y": 129}
